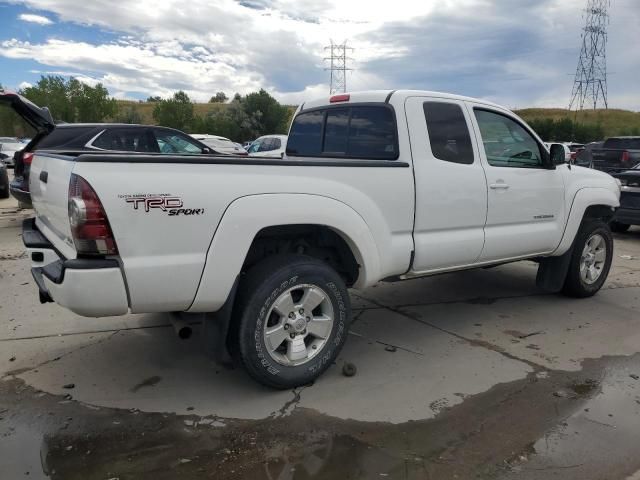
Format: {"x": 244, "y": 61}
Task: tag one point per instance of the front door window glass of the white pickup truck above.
{"x": 506, "y": 142}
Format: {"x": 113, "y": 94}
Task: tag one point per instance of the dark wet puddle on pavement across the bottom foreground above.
{"x": 521, "y": 429}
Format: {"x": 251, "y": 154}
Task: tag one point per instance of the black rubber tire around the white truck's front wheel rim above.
{"x": 574, "y": 285}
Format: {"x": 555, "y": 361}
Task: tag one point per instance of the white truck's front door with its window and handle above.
{"x": 526, "y": 200}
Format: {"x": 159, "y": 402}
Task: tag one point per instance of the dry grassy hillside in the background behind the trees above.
{"x": 613, "y": 121}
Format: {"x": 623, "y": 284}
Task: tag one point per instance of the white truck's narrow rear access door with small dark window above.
{"x": 451, "y": 189}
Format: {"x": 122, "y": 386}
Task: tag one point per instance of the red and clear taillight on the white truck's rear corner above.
{"x": 89, "y": 224}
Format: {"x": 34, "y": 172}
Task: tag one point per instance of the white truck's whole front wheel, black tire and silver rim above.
{"x": 590, "y": 260}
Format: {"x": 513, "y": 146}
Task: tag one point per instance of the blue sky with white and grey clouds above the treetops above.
{"x": 520, "y": 53}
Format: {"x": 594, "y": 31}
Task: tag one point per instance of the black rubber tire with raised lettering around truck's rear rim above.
{"x": 257, "y": 293}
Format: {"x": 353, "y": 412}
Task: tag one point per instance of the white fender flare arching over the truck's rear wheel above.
{"x": 246, "y": 216}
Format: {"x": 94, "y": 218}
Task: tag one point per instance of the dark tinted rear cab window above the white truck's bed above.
{"x": 359, "y": 131}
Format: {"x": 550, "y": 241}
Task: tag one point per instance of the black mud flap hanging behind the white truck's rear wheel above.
{"x": 215, "y": 330}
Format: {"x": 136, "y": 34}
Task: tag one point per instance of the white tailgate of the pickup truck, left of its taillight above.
{"x": 49, "y": 186}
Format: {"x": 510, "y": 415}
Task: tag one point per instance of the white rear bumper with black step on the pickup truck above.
{"x": 88, "y": 287}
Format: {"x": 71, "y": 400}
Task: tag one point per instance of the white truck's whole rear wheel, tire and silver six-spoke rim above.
{"x": 291, "y": 320}
